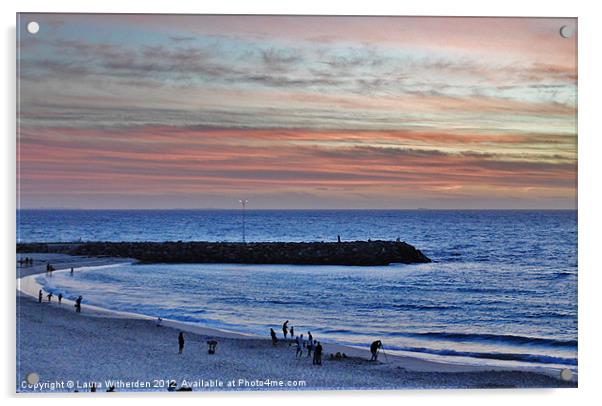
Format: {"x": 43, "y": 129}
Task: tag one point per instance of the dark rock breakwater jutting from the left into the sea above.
{"x": 360, "y": 253}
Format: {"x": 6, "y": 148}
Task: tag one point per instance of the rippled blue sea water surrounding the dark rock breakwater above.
{"x": 503, "y": 287}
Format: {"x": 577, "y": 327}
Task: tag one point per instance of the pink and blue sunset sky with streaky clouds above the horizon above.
{"x": 296, "y": 112}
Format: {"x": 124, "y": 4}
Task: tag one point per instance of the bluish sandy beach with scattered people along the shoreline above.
{"x": 64, "y": 348}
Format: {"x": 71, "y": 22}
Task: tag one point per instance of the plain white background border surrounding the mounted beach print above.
{"x": 590, "y": 166}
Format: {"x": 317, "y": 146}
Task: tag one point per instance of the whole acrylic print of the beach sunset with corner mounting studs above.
{"x": 403, "y": 180}
